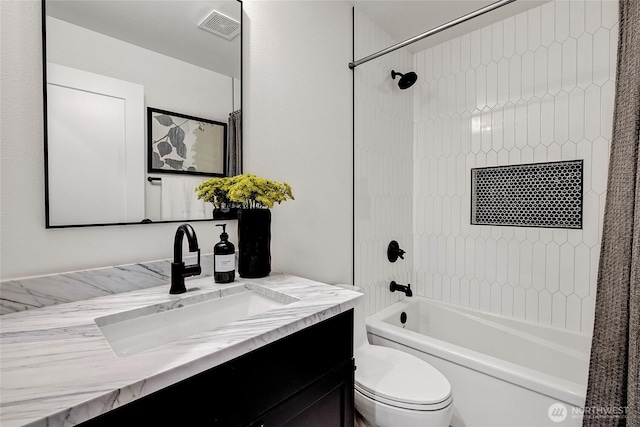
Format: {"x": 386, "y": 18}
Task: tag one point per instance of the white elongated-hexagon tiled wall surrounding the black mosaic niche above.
{"x": 535, "y": 87}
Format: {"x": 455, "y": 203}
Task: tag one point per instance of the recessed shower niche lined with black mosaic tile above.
{"x": 529, "y": 195}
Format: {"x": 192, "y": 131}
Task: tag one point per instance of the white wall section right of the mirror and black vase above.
{"x": 297, "y": 128}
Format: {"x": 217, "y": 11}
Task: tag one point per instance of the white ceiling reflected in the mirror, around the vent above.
{"x": 167, "y": 27}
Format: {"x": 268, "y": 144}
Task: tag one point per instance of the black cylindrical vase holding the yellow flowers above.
{"x": 254, "y": 243}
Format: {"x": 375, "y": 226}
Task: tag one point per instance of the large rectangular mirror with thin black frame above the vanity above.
{"x": 105, "y": 64}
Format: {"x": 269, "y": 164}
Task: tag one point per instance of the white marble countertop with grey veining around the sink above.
{"x": 57, "y": 369}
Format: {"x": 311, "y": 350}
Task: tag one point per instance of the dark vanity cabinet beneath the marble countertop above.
{"x": 305, "y": 379}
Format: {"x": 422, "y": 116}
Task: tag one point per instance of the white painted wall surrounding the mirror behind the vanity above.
{"x": 297, "y": 122}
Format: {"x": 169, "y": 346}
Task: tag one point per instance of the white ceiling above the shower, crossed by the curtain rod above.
{"x": 404, "y": 19}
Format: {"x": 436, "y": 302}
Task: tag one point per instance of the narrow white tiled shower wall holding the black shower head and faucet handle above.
{"x": 383, "y": 167}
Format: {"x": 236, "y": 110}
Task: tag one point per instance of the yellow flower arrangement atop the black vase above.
{"x": 244, "y": 191}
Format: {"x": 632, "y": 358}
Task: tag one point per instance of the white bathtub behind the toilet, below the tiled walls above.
{"x": 503, "y": 371}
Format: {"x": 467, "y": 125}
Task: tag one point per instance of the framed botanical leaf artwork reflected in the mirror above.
{"x": 183, "y": 144}
